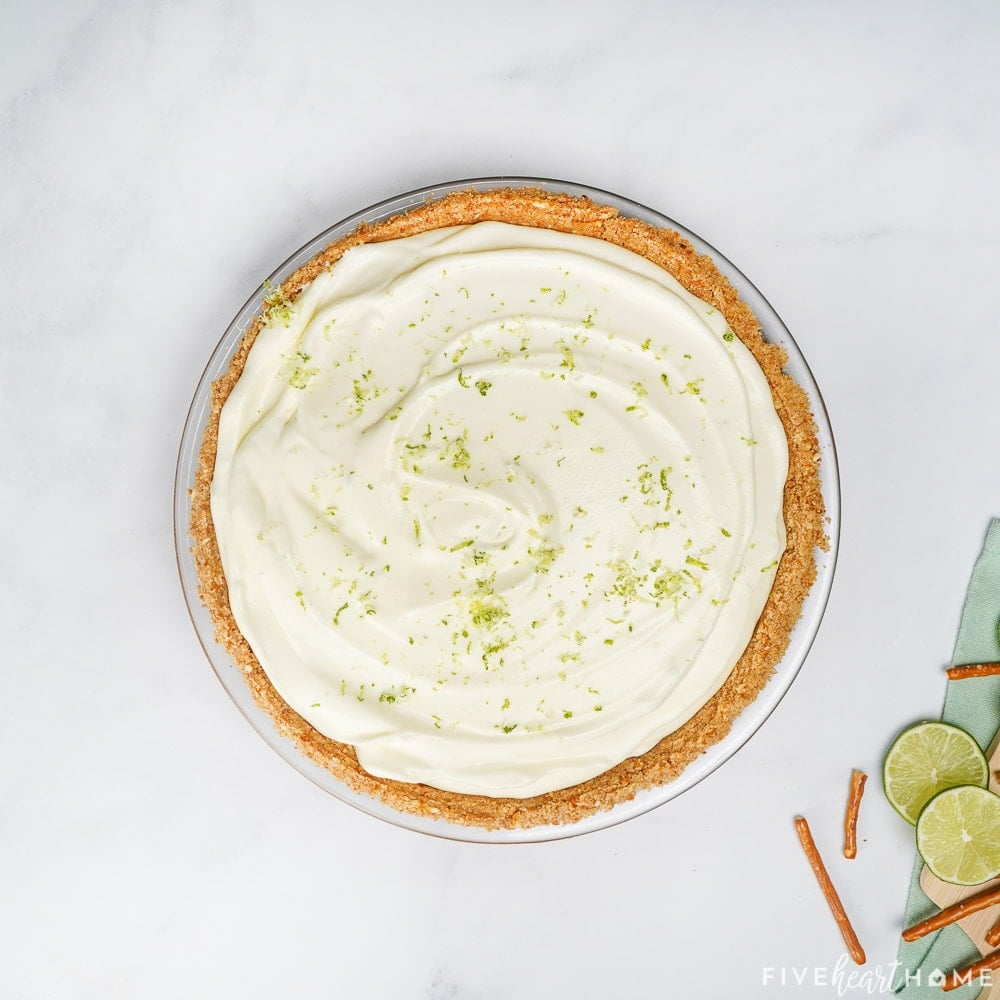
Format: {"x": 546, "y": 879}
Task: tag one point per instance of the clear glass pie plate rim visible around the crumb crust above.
{"x": 745, "y": 725}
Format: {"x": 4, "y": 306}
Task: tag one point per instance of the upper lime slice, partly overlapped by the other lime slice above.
{"x": 926, "y": 759}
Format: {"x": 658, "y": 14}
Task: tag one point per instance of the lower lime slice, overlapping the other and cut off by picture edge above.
{"x": 958, "y": 835}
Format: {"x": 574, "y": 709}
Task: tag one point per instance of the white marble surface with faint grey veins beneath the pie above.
{"x": 158, "y": 160}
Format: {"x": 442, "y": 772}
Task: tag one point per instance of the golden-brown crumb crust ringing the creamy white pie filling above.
{"x": 803, "y": 512}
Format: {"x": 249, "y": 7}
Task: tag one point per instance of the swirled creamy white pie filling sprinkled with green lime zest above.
{"x": 499, "y": 506}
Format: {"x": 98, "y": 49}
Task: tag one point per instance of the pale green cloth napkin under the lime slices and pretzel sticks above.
{"x": 975, "y": 706}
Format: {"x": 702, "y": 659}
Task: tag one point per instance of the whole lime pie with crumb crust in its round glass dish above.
{"x": 506, "y": 510}
